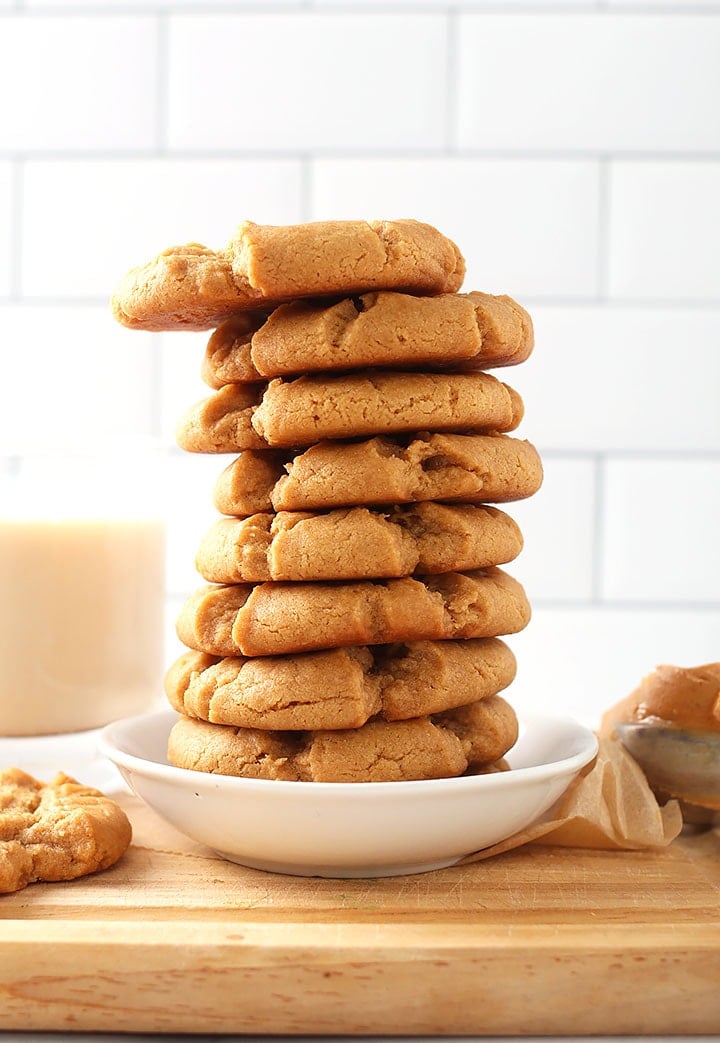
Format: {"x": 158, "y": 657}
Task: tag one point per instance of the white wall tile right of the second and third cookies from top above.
{"x": 619, "y": 378}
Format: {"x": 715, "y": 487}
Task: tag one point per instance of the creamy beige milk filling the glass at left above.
{"x": 81, "y": 622}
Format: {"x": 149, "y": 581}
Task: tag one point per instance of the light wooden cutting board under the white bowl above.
{"x": 538, "y": 941}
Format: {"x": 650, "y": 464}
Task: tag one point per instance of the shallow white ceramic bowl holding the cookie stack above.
{"x": 350, "y": 830}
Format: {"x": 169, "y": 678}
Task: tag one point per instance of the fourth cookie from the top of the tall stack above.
{"x": 473, "y": 469}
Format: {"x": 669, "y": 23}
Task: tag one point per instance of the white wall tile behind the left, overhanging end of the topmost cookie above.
{"x": 133, "y": 209}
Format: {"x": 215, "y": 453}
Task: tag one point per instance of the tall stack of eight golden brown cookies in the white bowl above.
{"x": 351, "y": 623}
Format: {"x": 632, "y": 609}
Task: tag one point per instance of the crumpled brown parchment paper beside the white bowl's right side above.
{"x": 610, "y": 807}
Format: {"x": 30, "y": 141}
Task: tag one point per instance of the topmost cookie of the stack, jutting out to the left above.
{"x": 195, "y": 288}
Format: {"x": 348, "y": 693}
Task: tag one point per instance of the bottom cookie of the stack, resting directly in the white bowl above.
{"x": 380, "y": 751}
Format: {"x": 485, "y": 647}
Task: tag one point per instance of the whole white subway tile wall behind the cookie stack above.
{"x": 571, "y": 148}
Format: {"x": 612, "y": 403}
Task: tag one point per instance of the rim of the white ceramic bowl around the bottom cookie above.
{"x": 584, "y": 737}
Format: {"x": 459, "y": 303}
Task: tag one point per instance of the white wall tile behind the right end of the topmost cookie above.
{"x": 526, "y": 225}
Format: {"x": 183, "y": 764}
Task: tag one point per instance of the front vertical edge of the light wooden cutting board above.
{"x": 308, "y": 990}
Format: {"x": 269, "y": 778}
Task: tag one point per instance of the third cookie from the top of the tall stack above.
{"x": 284, "y": 415}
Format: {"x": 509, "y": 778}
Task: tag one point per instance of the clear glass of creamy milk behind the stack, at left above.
{"x": 82, "y": 590}
